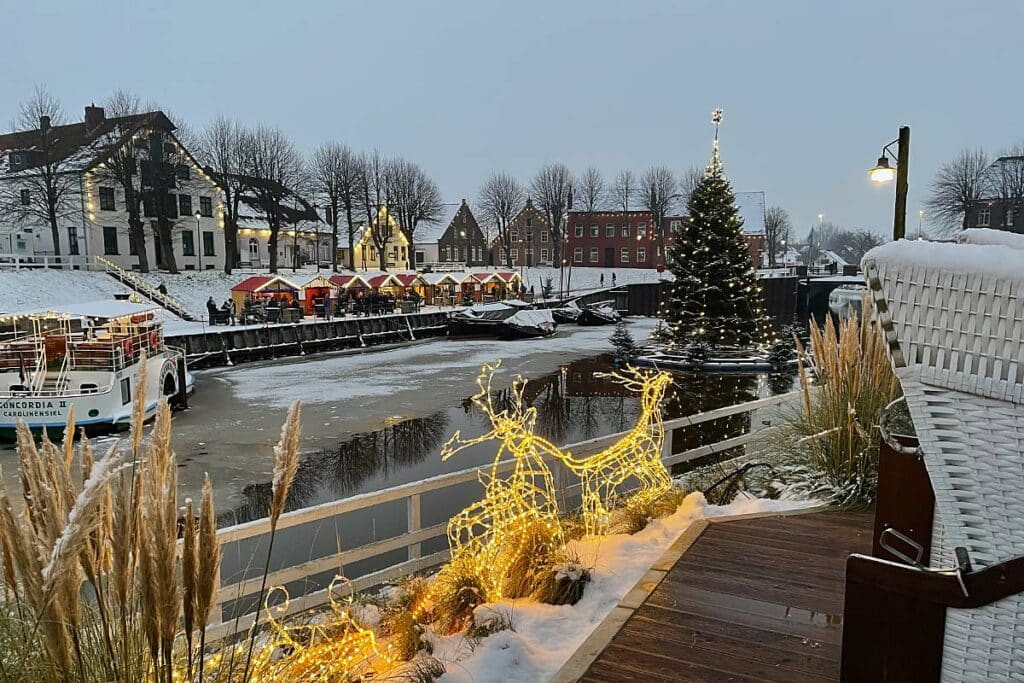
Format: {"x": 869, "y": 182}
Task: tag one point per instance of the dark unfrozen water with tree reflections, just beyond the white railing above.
{"x": 574, "y": 405}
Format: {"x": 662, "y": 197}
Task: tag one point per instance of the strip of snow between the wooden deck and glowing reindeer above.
{"x": 544, "y": 637}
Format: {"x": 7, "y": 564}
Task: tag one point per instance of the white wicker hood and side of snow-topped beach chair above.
{"x": 954, "y": 319}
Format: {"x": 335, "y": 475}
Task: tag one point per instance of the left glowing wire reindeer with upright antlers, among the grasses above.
{"x": 516, "y": 525}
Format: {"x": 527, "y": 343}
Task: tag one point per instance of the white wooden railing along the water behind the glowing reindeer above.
{"x": 416, "y": 535}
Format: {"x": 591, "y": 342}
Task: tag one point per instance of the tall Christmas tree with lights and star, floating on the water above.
{"x": 715, "y": 300}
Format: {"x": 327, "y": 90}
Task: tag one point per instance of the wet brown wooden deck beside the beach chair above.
{"x": 751, "y": 601}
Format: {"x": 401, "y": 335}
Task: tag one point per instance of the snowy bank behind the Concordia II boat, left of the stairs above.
{"x": 44, "y": 288}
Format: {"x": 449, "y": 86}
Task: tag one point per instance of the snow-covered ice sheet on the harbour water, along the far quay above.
{"x": 335, "y": 378}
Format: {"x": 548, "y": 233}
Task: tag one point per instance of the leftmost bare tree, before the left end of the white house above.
{"x": 45, "y": 188}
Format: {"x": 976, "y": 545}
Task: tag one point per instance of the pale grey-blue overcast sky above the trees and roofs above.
{"x": 812, "y": 90}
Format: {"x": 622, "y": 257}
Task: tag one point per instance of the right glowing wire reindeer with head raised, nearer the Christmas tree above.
{"x": 636, "y": 455}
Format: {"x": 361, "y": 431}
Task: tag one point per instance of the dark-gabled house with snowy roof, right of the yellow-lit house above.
{"x": 456, "y": 240}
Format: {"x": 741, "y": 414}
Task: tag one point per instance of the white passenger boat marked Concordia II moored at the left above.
{"x": 88, "y": 358}
